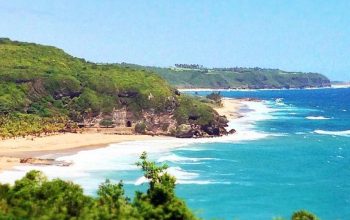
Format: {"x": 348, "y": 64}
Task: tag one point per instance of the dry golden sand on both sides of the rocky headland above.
{"x": 12, "y": 150}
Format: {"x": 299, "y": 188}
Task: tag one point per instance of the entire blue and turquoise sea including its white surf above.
{"x": 291, "y": 152}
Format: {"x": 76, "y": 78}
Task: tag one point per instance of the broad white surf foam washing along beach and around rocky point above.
{"x": 122, "y": 156}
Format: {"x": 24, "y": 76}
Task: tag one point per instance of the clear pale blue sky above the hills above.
{"x": 295, "y": 35}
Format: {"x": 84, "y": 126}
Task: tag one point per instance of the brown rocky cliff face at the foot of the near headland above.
{"x": 122, "y": 121}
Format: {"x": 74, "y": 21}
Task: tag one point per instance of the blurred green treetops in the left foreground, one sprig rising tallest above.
{"x": 36, "y": 197}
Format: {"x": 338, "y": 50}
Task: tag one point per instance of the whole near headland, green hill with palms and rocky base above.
{"x": 44, "y": 90}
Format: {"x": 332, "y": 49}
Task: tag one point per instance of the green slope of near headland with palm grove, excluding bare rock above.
{"x": 38, "y": 83}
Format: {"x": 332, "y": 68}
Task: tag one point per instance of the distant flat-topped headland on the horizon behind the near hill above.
{"x": 196, "y": 76}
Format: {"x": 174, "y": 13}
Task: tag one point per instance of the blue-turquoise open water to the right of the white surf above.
{"x": 307, "y": 166}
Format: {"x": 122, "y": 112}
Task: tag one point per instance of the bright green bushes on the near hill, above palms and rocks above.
{"x": 32, "y": 73}
